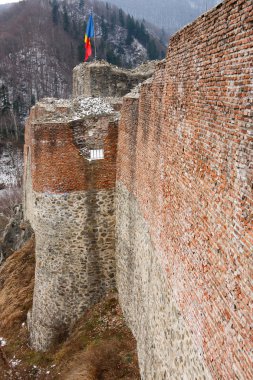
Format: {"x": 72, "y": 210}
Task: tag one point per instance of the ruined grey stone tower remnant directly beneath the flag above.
{"x": 102, "y": 79}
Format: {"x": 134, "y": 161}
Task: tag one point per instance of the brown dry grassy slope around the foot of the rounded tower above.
{"x": 100, "y": 346}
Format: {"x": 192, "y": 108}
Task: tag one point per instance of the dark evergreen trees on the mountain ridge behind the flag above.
{"x": 107, "y": 18}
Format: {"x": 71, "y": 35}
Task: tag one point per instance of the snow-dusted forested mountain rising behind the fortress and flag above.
{"x": 42, "y": 40}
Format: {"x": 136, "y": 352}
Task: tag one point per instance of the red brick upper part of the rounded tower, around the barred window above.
{"x": 57, "y": 144}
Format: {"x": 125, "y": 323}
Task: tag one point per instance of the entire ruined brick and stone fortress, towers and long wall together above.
{"x": 171, "y": 195}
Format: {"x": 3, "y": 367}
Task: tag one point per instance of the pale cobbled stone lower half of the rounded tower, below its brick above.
{"x": 74, "y": 259}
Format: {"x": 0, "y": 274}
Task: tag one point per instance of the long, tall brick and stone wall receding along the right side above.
{"x": 184, "y": 203}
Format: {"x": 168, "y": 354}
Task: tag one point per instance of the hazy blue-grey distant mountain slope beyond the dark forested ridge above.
{"x": 170, "y": 15}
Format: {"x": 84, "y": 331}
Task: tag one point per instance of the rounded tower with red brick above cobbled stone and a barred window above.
{"x": 70, "y": 203}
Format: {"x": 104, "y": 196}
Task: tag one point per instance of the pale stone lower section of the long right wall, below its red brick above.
{"x": 165, "y": 346}
